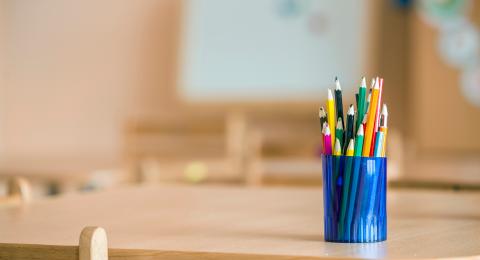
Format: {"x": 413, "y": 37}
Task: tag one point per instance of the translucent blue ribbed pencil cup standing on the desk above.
{"x": 354, "y": 198}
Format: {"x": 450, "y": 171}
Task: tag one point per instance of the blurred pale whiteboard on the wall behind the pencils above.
{"x": 247, "y": 50}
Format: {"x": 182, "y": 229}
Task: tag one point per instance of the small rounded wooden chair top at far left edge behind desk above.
{"x": 18, "y": 190}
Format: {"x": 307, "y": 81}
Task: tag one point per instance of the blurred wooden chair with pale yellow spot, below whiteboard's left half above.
{"x": 189, "y": 146}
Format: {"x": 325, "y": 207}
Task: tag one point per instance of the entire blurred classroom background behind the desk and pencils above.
{"x": 99, "y": 94}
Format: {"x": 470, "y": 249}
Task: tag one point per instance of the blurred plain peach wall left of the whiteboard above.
{"x": 75, "y": 70}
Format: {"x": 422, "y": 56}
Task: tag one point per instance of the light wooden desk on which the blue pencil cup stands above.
{"x": 211, "y": 222}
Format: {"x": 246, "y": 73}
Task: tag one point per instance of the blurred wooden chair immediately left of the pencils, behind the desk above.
{"x": 284, "y": 149}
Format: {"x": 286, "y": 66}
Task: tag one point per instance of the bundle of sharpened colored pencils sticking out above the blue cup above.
{"x": 365, "y": 131}
